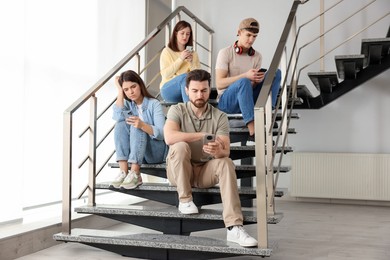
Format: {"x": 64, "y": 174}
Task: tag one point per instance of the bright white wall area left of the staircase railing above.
{"x": 54, "y": 51}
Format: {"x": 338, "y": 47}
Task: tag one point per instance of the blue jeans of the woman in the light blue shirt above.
{"x": 136, "y": 146}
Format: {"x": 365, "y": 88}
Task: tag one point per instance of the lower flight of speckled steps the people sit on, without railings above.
{"x": 170, "y": 231}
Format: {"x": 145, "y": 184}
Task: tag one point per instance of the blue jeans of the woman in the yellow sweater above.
{"x": 174, "y": 90}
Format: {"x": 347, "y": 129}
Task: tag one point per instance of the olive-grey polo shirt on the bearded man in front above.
{"x": 213, "y": 121}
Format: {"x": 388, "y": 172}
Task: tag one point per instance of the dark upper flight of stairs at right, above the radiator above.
{"x": 352, "y": 70}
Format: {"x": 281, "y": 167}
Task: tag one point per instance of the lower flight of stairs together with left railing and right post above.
{"x": 166, "y": 233}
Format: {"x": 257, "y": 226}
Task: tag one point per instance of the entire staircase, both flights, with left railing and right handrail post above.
{"x": 171, "y": 235}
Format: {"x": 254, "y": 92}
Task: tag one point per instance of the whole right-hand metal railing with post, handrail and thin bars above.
{"x": 263, "y": 129}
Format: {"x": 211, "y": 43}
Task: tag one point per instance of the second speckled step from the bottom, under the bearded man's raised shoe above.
{"x": 167, "y": 218}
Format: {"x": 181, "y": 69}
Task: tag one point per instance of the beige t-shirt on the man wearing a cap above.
{"x": 236, "y": 64}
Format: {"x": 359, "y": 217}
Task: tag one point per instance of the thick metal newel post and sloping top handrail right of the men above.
{"x": 263, "y": 147}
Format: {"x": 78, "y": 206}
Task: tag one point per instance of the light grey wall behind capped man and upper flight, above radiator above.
{"x": 357, "y": 122}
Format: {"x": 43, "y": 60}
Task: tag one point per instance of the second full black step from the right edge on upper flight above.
{"x": 349, "y": 65}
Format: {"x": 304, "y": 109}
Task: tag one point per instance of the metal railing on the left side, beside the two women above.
{"x": 90, "y": 94}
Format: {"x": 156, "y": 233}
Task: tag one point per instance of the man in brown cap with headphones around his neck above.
{"x": 238, "y": 78}
